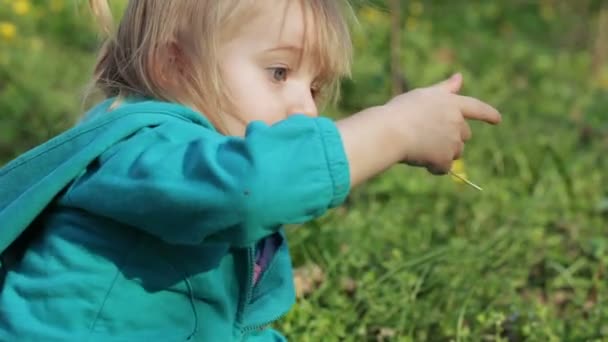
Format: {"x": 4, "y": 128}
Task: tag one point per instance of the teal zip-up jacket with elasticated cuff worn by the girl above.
{"x": 146, "y": 220}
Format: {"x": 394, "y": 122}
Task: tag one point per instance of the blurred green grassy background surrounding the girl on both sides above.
{"x": 410, "y": 256}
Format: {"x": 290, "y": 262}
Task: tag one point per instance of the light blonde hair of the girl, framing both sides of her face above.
{"x": 136, "y": 58}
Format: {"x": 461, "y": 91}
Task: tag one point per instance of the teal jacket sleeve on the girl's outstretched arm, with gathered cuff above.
{"x": 188, "y": 188}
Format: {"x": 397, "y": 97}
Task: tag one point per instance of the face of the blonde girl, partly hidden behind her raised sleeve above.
{"x": 264, "y": 69}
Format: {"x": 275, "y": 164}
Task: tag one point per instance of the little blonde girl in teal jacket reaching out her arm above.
{"x": 158, "y": 217}
